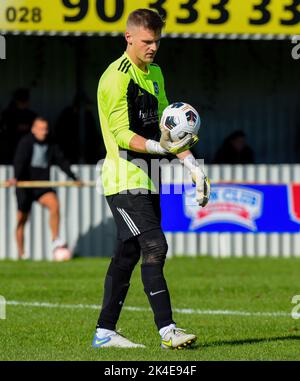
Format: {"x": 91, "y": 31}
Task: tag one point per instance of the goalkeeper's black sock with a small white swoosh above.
{"x": 156, "y": 289}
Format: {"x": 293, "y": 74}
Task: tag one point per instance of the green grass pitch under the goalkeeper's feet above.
{"x": 62, "y": 330}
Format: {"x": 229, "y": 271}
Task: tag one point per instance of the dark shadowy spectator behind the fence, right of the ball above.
{"x": 235, "y": 150}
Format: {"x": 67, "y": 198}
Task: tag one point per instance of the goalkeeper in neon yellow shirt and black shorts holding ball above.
{"x": 131, "y": 99}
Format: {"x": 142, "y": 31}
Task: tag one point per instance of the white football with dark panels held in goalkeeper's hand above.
{"x": 181, "y": 119}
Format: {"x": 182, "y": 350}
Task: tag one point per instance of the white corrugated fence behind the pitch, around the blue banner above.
{"x": 88, "y": 227}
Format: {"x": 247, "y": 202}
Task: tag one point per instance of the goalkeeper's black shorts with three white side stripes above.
{"x": 135, "y": 213}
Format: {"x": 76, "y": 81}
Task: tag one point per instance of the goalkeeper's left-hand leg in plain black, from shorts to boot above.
{"x": 117, "y": 283}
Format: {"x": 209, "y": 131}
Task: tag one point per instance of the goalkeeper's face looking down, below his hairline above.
{"x": 144, "y": 43}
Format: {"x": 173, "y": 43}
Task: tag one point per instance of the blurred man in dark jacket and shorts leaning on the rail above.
{"x": 34, "y": 156}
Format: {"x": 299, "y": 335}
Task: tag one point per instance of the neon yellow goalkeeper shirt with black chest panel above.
{"x": 130, "y": 102}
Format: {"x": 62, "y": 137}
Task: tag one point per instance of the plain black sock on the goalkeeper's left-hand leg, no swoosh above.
{"x": 115, "y": 290}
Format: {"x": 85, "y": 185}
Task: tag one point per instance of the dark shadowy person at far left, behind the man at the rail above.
{"x": 15, "y": 122}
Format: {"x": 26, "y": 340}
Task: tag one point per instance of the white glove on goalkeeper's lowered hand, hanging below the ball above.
{"x": 199, "y": 179}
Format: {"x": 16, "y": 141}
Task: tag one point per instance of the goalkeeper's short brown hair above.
{"x": 146, "y": 18}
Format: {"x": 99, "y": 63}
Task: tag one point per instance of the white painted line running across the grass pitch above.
{"x": 188, "y": 311}
